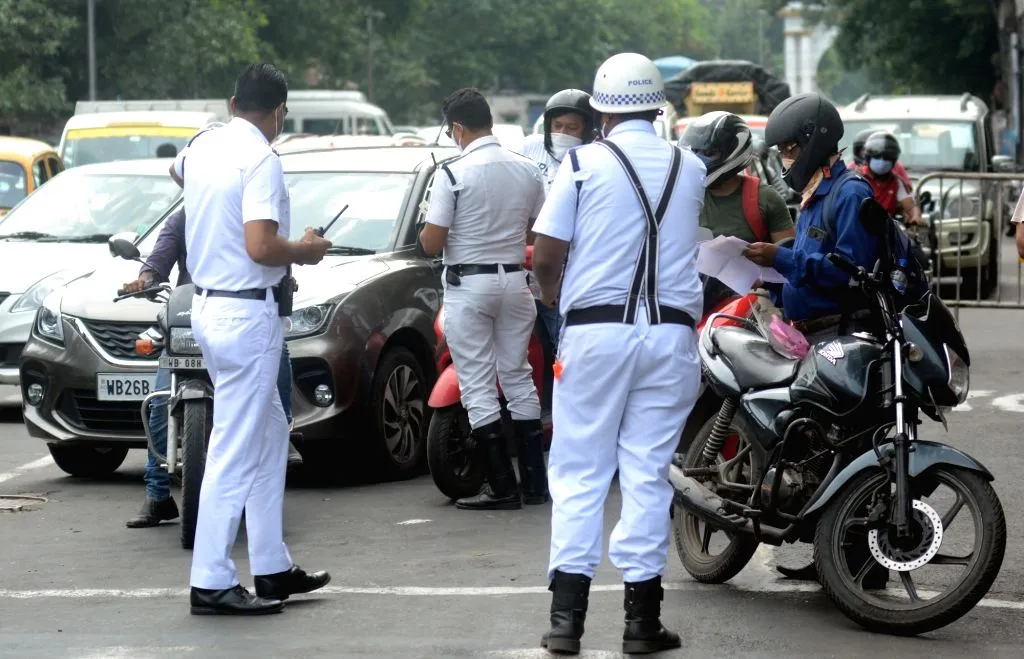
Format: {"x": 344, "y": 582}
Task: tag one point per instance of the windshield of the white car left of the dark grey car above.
{"x": 80, "y": 207}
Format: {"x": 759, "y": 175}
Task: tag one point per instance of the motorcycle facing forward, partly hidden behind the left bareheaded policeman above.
{"x": 190, "y": 398}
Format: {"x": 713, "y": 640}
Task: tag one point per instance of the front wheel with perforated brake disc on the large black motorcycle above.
{"x": 918, "y": 600}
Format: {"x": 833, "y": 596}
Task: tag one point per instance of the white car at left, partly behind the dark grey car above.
{"x": 60, "y": 233}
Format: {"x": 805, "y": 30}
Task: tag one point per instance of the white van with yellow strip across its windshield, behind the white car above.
{"x": 106, "y": 131}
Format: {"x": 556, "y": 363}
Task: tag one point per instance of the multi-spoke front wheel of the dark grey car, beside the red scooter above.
{"x": 399, "y": 407}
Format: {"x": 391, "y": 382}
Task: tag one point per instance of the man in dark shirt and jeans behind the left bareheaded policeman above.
{"x": 168, "y": 252}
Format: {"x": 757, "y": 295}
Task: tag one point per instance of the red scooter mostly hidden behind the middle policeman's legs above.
{"x": 451, "y": 449}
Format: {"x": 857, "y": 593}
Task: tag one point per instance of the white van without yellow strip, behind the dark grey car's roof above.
{"x": 324, "y": 112}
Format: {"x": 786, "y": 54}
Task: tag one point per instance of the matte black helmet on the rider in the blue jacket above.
{"x": 815, "y": 124}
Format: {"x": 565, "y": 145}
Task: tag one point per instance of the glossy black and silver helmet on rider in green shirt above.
{"x": 723, "y": 141}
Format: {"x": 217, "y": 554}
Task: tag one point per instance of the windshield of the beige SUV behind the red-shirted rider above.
{"x": 929, "y": 146}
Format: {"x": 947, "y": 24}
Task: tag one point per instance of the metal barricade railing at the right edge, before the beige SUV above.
{"x": 974, "y": 261}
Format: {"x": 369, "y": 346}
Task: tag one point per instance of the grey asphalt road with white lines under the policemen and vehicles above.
{"x": 414, "y": 578}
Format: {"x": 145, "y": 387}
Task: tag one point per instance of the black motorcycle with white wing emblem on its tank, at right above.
{"x": 825, "y": 451}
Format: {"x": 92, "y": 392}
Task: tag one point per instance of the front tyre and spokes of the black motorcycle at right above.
{"x": 873, "y": 609}
